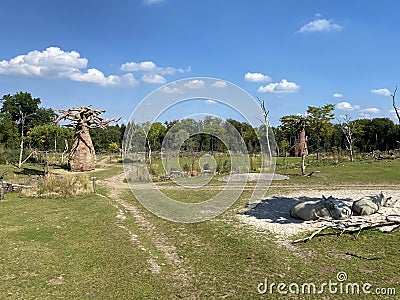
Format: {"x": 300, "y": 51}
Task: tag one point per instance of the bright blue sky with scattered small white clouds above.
{"x": 291, "y": 54}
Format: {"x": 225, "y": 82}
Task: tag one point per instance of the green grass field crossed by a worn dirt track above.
{"x": 91, "y": 247}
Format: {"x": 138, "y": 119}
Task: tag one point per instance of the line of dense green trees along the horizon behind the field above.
{"x": 24, "y": 124}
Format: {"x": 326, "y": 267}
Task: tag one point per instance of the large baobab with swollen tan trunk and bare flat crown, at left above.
{"x": 82, "y": 156}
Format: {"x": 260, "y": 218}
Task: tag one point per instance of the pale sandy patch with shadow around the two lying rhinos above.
{"x": 273, "y": 213}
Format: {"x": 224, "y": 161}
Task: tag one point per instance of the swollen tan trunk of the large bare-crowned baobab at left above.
{"x": 82, "y": 157}
